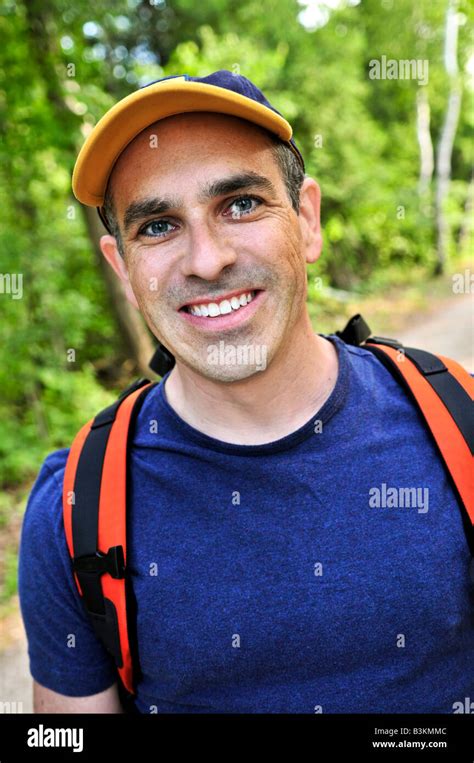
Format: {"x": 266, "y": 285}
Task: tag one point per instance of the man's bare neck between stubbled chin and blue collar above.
{"x": 266, "y": 406}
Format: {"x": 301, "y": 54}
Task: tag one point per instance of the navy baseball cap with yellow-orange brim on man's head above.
{"x": 222, "y": 91}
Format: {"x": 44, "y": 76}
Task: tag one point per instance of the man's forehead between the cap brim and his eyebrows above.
{"x": 180, "y": 149}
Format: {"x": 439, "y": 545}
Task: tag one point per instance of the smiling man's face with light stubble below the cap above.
{"x": 205, "y": 219}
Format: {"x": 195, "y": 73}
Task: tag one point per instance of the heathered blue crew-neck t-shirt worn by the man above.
{"x": 326, "y": 571}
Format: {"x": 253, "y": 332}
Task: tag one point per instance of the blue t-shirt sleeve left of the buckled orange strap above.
{"x": 65, "y": 654}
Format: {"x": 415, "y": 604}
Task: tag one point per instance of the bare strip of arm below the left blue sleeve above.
{"x": 47, "y": 701}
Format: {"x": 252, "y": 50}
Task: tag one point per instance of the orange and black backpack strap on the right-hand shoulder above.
{"x": 443, "y": 392}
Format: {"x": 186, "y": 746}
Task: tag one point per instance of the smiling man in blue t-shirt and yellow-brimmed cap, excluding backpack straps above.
{"x": 267, "y": 579}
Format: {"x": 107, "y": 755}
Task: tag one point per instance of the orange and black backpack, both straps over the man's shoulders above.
{"x": 95, "y": 482}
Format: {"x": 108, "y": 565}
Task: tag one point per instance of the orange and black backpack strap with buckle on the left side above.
{"x": 95, "y": 522}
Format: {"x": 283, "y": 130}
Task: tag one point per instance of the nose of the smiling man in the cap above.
{"x": 209, "y": 252}
